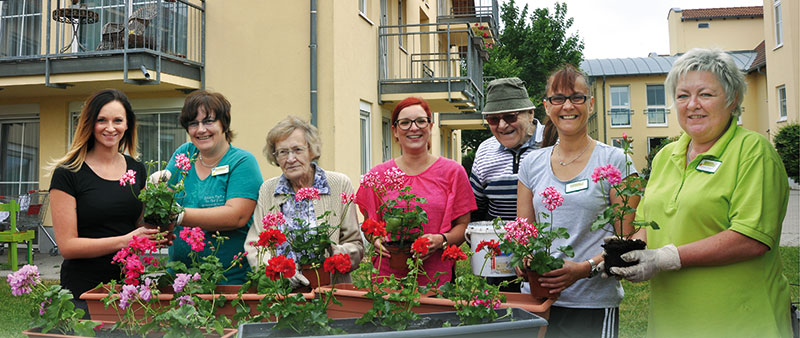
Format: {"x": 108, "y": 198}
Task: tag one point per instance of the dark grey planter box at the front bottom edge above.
{"x": 522, "y": 324}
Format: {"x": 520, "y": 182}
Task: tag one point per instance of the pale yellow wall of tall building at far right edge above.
{"x": 783, "y": 63}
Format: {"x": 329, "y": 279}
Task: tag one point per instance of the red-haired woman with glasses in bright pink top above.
{"x": 441, "y": 181}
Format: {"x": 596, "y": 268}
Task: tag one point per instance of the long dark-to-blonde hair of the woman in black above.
{"x": 83, "y": 140}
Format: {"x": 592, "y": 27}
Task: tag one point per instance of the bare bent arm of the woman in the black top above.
{"x": 65, "y": 227}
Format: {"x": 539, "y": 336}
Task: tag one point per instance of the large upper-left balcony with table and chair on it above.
{"x": 55, "y": 43}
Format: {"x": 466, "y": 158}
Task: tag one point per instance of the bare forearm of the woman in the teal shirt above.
{"x": 233, "y": 215}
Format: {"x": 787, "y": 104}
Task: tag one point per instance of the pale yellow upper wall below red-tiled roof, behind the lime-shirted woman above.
{"x": 726, "y": 34}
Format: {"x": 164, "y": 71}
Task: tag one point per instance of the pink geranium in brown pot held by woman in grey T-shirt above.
{"x": 530, "y": 243}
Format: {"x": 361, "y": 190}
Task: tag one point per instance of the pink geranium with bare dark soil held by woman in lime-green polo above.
{"x": 613, "y": 217}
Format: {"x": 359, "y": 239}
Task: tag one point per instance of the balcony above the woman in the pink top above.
{"x": 440, "y": 62}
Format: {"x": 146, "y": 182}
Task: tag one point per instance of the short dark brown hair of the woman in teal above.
{"x": 212, "y": 102}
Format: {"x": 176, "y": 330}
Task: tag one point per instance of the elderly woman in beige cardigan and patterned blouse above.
{"x": 294, "y": 145}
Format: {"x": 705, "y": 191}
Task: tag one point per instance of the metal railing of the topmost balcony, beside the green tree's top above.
{"x": 487, "y": 11}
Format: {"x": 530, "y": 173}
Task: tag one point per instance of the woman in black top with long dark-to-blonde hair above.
{"x": 93, "y": 215}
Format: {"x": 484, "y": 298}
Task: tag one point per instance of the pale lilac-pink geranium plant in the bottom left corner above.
{"x": 55, "y": 312}
